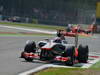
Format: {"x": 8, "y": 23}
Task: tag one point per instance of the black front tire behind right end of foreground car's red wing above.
{"x": 70, "y": 52}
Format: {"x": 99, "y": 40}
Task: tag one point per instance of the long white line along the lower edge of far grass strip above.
{"x": 28, "y": 29}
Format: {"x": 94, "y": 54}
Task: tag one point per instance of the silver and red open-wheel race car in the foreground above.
{"x": 56, "y": 49}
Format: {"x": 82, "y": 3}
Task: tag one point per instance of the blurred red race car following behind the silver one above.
{"x": 79, "y": 30}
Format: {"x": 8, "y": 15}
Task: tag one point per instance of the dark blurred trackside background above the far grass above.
{"x": 53, "y": 12}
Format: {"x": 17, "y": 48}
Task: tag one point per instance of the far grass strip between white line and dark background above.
{"x": 53, "y": 27}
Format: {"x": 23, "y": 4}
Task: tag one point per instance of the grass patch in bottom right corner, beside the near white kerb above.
{"x": 68, "y": 71}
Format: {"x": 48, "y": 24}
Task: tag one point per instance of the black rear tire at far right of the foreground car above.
{"x": 83, "y": 53}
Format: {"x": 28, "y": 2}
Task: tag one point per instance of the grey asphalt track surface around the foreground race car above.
{"x": 11, "y": 47}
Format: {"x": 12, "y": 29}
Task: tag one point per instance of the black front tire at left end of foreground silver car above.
{"x": 30, "y": 47}
